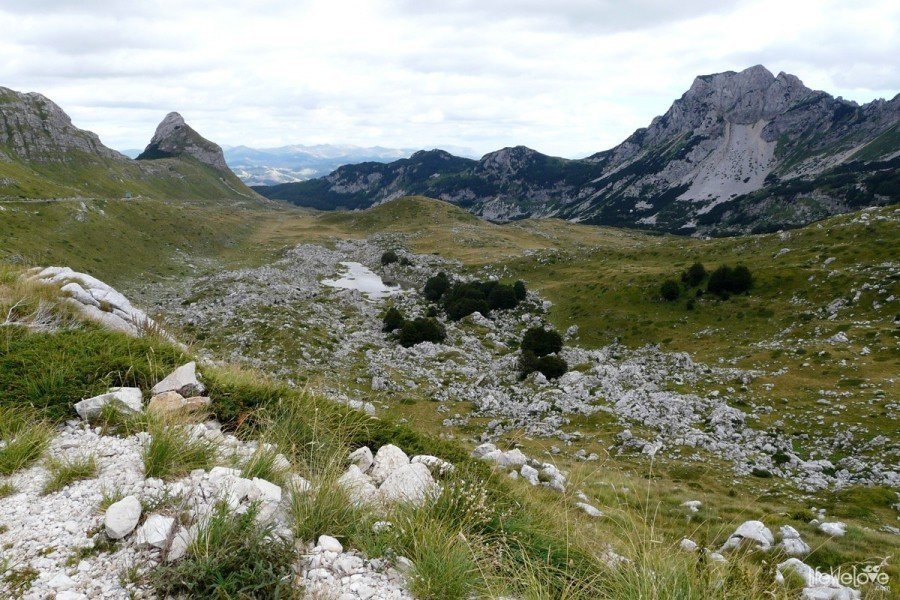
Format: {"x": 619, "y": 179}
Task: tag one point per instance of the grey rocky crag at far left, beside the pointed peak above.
{"x": 35, "y": 128}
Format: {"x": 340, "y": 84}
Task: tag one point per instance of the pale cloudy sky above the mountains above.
{"x": 565, "y": 77}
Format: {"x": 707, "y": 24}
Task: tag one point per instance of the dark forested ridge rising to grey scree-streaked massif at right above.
{"x": 738, "y": 152}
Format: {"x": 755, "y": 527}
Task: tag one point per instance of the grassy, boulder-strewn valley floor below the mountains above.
{"x": 678, "y": 420}
